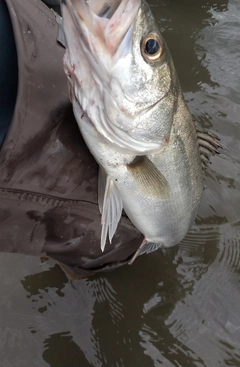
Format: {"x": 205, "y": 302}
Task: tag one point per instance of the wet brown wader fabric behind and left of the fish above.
{"x": 48, "y": 178}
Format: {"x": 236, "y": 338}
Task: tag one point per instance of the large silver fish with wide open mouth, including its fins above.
{"x": 130, "y": 109}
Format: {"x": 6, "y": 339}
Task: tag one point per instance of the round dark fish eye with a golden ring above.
{"x": 152, "y": 47}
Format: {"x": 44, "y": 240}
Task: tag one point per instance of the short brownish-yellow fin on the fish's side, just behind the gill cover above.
{"x": 148, "y": 178}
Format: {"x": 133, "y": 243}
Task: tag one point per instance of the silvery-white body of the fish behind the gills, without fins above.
{"x": 163, "y": 221}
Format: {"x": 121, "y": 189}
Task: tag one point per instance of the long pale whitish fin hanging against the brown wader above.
{"x": 110, "y": 206}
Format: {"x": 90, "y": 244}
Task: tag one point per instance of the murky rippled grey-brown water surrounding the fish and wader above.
{"x": 179, "y": 307}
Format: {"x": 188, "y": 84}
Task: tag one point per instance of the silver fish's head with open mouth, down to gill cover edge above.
{"x": 120, "y": 71}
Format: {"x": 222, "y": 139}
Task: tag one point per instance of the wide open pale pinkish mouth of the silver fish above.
{"x": 103, "y": 23}
